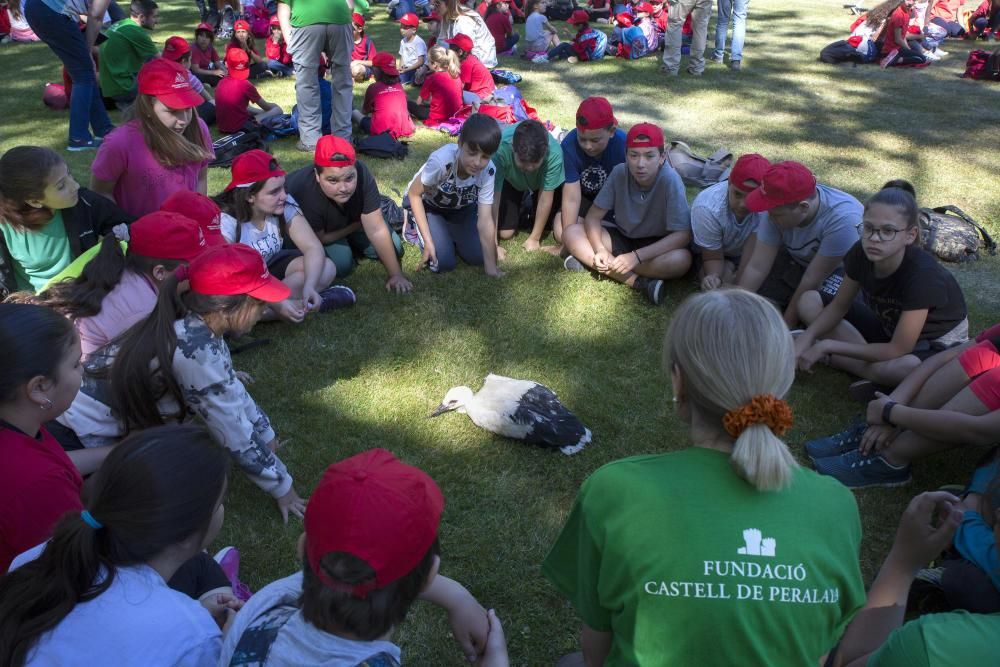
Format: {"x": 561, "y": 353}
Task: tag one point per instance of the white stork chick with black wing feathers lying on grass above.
{"x": 519, "y": 409}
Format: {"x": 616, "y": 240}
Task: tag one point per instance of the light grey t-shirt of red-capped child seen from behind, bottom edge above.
{"x": 270, "y": 631}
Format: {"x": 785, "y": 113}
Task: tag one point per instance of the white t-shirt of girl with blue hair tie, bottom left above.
{"x": 138, "y": 621}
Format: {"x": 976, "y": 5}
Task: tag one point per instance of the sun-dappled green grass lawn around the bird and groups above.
{"x": 368, "y": 377}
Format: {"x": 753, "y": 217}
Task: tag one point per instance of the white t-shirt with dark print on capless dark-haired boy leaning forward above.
{"x": 444, "y": 190}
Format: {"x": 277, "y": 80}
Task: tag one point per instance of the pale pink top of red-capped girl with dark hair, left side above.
{"x": 131, "y": 301}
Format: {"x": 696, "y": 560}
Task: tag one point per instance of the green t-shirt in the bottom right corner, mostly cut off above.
{"x": 942, "y": 640}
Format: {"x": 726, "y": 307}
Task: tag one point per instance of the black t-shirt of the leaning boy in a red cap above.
{"x": 324, "y": 214}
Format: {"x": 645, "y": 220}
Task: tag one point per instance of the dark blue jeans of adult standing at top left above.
{"x": 63, "y": 36}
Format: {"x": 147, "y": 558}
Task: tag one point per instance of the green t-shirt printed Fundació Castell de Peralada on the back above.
{"x": 686, "y": 563}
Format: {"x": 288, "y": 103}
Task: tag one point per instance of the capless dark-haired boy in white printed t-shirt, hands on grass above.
{"x": 451, "y": 199}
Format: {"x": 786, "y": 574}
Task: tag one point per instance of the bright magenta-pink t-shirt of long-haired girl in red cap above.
{"x": 141, "y": 182}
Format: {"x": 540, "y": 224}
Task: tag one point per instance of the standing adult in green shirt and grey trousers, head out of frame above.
{"x": 310, "y": 28}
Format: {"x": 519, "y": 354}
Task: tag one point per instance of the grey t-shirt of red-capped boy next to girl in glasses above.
{"x": 831, "y": 234}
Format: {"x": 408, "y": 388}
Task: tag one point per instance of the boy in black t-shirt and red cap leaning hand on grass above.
{"x": 339, "y": 198}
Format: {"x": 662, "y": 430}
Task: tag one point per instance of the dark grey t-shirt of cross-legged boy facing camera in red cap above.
{"x": 644, "y": 213}
